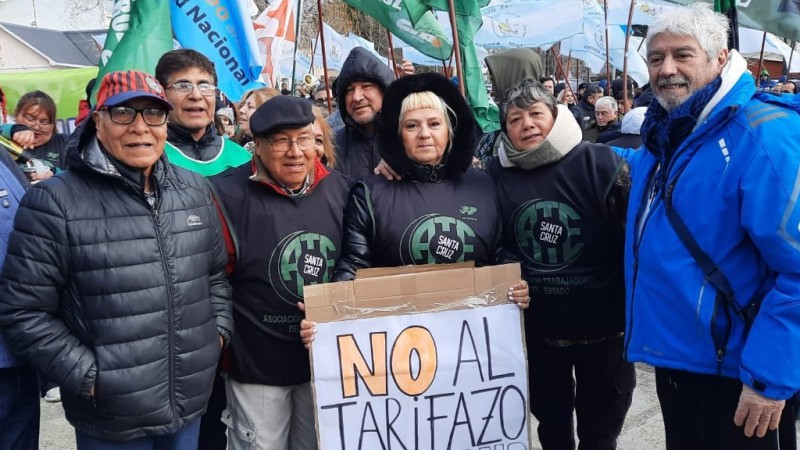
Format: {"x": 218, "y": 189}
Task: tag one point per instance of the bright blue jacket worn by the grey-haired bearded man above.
{"x": 737, "y": 188}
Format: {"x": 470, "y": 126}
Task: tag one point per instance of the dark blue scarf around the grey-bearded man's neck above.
{"x": 663, "y": 132}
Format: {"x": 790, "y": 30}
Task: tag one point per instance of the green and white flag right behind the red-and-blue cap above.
{"x": 137, "y": 37}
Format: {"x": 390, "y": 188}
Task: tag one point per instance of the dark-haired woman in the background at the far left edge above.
{"x": 35, "y": 131}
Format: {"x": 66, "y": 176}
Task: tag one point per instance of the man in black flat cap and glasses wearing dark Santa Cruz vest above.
{"x": 286, "y": 210}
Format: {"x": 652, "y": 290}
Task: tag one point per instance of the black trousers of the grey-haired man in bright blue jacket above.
{"x": 698, "y": 413}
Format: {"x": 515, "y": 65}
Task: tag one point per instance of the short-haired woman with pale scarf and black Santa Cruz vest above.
{"x": 563, "y": 204}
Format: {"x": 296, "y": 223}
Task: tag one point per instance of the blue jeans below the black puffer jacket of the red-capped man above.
{"x": 183, "y": 439}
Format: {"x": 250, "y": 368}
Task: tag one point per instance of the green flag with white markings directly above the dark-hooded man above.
{"x": 396, "y": 15}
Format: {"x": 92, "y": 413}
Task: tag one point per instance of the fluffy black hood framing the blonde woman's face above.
{"x": 466, "y": 133}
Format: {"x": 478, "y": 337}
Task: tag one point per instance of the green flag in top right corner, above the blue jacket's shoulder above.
{"x": 779, "y": 17}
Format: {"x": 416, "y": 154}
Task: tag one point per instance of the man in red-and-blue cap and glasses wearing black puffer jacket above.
{"x": 114, "y": 282}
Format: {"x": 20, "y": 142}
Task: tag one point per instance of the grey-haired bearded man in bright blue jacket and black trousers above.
{"x": 713, "y": 245}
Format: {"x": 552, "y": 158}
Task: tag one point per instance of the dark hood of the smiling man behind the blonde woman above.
{"x": 361, "y": 65}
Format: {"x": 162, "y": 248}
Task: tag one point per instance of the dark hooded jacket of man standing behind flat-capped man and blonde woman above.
{"x": 356, "y": 152}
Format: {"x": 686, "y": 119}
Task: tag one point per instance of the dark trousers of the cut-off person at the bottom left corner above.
{"x": 19, "y": 408}
